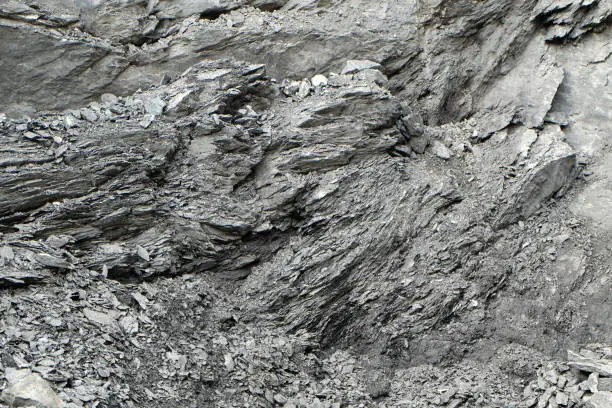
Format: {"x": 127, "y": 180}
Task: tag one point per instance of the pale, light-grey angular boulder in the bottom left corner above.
{"x": 27, "y": 389}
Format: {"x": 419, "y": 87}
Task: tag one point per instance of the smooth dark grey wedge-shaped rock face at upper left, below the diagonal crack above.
{"x": 43, "y": 69}
